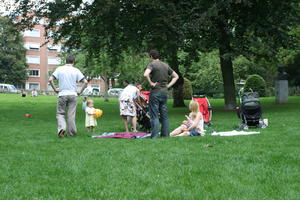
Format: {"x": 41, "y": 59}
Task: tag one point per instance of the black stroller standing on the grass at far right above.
{"x": 250, "y": 111}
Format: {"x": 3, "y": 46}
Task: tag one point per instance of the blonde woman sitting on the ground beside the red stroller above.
{"x": 194, "y": 125}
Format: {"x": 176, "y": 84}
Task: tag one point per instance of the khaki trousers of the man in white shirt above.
{"x": 67, "y": 104}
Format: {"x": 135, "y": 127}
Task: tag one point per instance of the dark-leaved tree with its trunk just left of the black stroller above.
{"x": 238, "y": 27}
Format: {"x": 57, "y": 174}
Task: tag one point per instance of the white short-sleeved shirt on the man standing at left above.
{"x": 68, "y": 77}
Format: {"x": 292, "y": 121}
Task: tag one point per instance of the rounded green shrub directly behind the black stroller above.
{"x": 257, "y": 84}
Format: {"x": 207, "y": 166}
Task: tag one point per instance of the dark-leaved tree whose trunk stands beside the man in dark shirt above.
{"x": 113, "y": 27}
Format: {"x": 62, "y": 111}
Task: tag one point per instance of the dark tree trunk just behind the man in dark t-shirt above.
{"x": 178, "y": 86}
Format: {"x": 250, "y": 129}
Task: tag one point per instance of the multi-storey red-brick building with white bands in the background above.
{"x": 42, "y": 59}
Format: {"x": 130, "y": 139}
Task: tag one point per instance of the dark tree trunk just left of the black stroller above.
{"x": 227, "y": 69}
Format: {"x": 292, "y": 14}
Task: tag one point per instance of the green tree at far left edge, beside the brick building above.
{"x": 12, "y": 54}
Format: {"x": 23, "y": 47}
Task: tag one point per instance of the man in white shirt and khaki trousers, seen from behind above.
{"x": 68, "y": 76}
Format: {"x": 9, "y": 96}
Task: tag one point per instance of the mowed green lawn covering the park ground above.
{"x": 35, "y": 164}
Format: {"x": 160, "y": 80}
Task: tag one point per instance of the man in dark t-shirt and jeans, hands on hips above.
{"x": 157, "y": 74}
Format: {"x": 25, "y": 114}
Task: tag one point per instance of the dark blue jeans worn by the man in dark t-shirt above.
{"x": 158, "y": 111}
